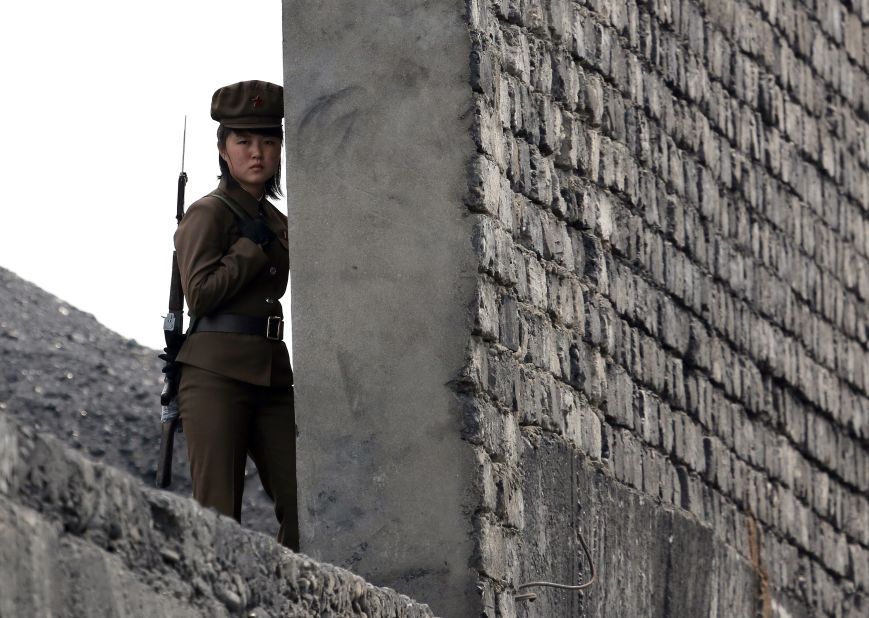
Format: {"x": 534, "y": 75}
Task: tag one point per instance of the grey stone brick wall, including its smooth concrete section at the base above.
{"x": 670, "y": 326}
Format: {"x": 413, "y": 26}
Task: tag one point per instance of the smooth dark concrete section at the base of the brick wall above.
{"x": 650, "y": 561}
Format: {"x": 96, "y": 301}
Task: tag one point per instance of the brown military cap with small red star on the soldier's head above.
{"x": 248, "y": 105}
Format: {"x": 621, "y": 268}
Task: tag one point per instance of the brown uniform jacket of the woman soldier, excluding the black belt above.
{"x": 223, "y": 272}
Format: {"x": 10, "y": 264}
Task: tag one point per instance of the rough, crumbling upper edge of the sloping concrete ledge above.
{"x": 206, "y": 562}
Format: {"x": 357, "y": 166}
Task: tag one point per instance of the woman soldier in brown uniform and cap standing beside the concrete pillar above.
{"x": 235, "y": 395}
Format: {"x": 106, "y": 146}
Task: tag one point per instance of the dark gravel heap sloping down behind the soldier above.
{"x": 64, "y": 373}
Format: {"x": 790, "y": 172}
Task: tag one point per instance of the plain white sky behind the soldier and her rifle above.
{"x": 93, "y": 105}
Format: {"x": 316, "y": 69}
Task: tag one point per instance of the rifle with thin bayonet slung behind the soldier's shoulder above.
{"x": 173, "y": 331}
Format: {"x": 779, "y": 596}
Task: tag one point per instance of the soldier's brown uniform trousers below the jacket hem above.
{"x": 226, "y": 420}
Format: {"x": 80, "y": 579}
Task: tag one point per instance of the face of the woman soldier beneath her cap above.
{"x": 252, "y": 159}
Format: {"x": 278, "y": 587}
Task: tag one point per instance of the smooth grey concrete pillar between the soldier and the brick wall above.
{"x": 379, "y": 110}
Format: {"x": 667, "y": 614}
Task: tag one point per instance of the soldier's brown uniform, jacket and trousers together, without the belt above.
{"x": 236, "y": 393}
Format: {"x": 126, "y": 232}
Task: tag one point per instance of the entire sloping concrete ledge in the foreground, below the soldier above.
{"x": 79, "y": 538}
